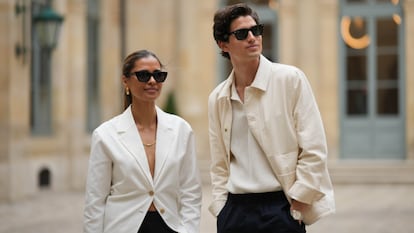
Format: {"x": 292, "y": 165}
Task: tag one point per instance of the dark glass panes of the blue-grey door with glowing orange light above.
{"x": 372, "y": 57}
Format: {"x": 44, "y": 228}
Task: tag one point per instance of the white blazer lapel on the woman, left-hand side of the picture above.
{"x": 131, "y": 140}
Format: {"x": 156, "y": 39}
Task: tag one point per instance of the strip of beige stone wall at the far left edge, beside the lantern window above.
{"x": 14, "y": 102}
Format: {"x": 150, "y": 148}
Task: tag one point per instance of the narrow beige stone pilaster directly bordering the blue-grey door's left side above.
{"x": 328, "y": 80}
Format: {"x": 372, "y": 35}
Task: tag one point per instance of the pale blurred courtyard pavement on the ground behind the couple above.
{"x": 360, "y": 209}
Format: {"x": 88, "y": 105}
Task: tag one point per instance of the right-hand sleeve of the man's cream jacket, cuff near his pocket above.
{"x": 312, "y": 159}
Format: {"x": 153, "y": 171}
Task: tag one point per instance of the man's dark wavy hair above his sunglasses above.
{"x": 225, "y": 16}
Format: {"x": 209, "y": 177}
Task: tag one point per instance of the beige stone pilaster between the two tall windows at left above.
{"x": 70, "y": 71}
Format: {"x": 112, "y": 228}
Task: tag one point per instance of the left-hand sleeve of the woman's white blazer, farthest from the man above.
{"x": 97, "y": 186}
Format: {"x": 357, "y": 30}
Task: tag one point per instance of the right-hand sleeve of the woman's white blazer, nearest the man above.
{"x": 190, "y": 188}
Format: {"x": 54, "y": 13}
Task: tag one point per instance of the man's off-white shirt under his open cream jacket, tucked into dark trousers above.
{"x": 250, "y": 171}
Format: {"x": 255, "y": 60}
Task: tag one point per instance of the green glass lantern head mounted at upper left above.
{"x": 47, "y": 25}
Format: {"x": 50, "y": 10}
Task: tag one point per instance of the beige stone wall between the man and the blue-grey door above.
{"x": 308, "y": 39}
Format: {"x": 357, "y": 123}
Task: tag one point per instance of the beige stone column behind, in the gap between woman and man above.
{"x": 196, "y": 54}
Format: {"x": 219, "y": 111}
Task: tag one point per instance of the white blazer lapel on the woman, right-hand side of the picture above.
{"x": 165, "y": 137}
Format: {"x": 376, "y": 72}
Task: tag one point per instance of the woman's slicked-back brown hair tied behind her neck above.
{"x": 129, "y": 63}
